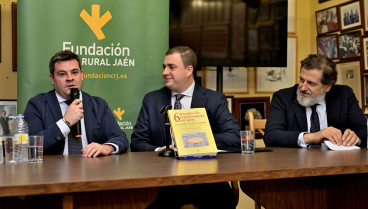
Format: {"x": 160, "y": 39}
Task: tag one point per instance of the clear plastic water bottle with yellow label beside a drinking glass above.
{"x": 21, "y": 136}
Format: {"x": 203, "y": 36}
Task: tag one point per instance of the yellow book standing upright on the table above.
{"x": 192, "y": 133}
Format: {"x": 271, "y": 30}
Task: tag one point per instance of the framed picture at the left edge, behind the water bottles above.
{"x": 10, "y": 107}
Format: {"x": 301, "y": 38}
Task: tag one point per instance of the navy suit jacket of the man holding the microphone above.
{"x": 43, "y": 111}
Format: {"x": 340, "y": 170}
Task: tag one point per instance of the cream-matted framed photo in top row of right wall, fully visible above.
{"x": 350, "y": 15}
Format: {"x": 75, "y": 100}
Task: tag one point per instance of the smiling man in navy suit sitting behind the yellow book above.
{"x": 149, "y": 131}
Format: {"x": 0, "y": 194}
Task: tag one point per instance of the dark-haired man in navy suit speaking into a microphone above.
{"x": 51, "y": 115}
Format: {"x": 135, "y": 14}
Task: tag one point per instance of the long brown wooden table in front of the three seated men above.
{"x": 132, "y": 179}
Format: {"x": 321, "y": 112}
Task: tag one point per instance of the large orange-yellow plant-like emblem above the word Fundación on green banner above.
{"x": 94, "y": 21}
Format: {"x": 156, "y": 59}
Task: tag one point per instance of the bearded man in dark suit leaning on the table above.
{"x": 316, "y": 110}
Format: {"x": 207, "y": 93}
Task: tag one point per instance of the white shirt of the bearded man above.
{"x": 322, "y": 116}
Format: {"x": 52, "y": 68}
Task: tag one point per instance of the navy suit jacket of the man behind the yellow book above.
{"x": 149, "y": 131}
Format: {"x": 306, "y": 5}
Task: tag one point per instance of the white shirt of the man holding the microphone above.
{"x": 65, "y": 130}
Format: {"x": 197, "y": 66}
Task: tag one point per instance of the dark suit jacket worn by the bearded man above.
{"x": 287, "y": 118}
